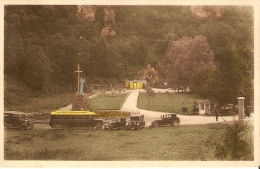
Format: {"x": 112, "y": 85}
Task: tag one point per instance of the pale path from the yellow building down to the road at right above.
{"x": 131, "y": 105}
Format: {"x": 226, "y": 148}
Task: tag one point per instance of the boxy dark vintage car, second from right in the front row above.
{"x": 135, "y": 122}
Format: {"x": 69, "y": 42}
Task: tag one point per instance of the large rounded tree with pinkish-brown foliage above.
{"x": 185, "y": 60}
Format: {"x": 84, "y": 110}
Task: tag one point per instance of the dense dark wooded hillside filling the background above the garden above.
{"x": 43, "y": 45}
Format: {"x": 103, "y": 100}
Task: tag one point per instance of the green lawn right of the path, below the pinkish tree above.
{"x": 167, "y": 102}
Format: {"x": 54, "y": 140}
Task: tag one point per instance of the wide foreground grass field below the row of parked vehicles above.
{"x": 180, "y": 143}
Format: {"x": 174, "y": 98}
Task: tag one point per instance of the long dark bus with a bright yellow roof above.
{"x": 74, "y": 119}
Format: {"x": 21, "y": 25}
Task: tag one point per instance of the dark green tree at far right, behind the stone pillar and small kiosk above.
{"x": 231, "y": 76}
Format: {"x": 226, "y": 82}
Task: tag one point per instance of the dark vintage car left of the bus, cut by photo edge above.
{"x": 15, "y": 119}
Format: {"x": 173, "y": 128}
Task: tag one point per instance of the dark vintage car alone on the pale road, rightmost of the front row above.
{"x": 166, "y": 120}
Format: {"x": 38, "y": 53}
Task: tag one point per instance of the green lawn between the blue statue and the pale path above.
{"x": 107, "y": 102}
